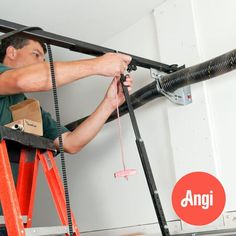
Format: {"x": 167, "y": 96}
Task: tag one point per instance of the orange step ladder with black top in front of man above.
{"x": 19, "y": 201}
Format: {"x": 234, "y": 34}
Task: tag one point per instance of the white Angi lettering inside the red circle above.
{"x": 202, "y": 200}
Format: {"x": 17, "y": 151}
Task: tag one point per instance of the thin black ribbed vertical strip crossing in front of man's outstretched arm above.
{"x": 61, "y": 149}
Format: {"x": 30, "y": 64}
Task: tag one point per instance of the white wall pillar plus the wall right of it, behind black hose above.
{"x": 202, "y": 134}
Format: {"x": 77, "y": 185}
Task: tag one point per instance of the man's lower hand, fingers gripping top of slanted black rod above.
{"x": 115, "y": 91}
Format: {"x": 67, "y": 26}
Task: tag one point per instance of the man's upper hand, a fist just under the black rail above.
{"x": 112, "y": 64}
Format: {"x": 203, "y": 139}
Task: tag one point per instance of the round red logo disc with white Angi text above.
{"x": 198, "y": 198}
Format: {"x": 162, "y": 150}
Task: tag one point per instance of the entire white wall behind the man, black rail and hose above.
{"x": 178, "y": 139}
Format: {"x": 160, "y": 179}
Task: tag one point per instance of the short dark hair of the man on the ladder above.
{"x": 17, "y": 42}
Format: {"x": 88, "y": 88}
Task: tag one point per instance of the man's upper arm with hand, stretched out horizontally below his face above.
{"x": 36, "y": 77}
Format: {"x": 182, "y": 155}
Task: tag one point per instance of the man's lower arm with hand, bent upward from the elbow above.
{"x": 74, "y": 141}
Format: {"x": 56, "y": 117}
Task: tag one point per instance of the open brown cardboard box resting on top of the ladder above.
{"x": 27, "y": 117}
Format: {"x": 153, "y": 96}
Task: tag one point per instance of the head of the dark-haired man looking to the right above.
{"x": 17, "y": 51}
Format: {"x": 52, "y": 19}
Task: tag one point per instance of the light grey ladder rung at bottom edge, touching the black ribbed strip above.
{"x": 52, "y": 230}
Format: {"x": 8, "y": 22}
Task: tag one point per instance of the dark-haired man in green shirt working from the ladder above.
{"x": 24, "y": 69}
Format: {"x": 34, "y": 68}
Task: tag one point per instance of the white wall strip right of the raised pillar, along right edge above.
{"x": 216, "y": 36}
